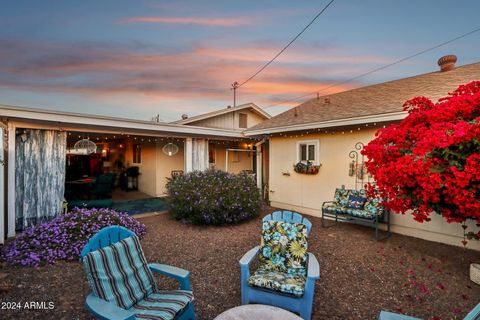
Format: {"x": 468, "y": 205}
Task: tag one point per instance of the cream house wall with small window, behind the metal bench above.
{"x": 306, "y": 193}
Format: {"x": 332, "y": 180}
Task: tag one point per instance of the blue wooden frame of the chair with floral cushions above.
{"x": 299, "y": 304}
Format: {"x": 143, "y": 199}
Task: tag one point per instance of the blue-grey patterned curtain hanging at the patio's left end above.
{"x": 39, "y": 175}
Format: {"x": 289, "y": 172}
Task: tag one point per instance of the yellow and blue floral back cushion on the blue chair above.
{"x": 283, "y": 247}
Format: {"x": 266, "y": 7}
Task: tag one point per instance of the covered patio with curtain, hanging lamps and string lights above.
{"x": 84, "y": 158}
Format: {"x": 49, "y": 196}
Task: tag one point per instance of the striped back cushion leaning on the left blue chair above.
{"x": 119, "y": 273}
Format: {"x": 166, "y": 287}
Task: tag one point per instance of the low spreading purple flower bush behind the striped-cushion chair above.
{"x": 64, "y": 237}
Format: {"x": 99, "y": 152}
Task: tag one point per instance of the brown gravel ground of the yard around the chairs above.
{"x": 359, "y": 276}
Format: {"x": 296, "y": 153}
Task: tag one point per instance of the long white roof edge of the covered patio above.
{"x": 103, "y": 123}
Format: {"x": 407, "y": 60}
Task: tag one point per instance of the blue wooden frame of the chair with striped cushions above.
{"x": 102, "y": 309}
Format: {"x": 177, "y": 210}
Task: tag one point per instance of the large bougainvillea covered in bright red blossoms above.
{"x": 430, "y": 161}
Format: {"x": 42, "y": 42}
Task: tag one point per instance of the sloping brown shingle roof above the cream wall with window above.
{"x": 375, "y": 103}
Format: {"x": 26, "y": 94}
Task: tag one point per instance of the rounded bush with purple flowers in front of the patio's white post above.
{"x": 213, "y": 197}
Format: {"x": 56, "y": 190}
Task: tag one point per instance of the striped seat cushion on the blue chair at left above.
{"x": 162, "y": 305}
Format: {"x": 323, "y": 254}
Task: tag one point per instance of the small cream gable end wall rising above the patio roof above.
{"x": 229, "y": 120}
